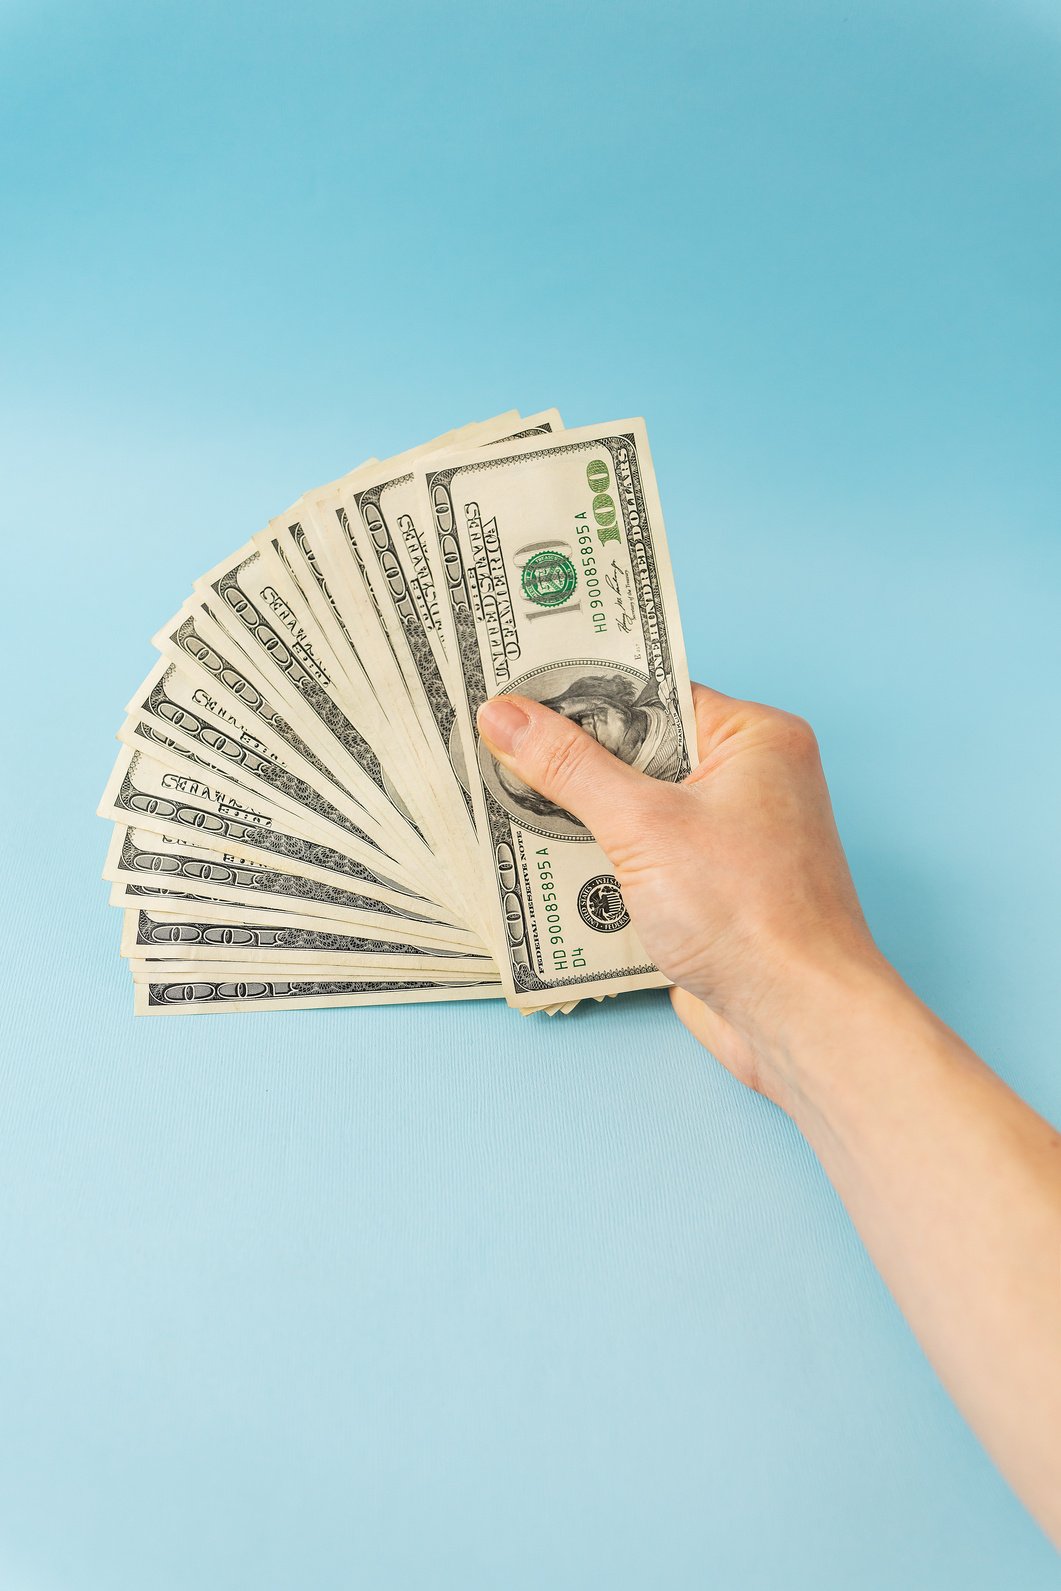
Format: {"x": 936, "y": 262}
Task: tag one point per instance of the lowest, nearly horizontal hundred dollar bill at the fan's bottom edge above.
{"x": 187, "y": 997}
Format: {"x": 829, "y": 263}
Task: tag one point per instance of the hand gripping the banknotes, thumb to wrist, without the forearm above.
{"x": 736, "y": 879}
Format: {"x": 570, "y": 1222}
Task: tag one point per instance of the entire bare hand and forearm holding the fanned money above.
{"x": 740, "y": 892}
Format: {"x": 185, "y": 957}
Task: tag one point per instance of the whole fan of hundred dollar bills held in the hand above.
{"x": 303, "y": 811}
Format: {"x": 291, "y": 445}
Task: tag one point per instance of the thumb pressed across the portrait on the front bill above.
{"x": 567, "y": 766}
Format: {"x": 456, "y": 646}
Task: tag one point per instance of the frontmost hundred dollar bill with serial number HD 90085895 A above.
{"x": 559, "y": 588}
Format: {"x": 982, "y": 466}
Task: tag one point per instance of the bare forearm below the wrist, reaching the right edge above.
{"x": 955, "y": 1186}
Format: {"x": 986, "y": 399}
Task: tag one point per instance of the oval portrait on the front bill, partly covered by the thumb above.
{"x": 623, "y": 714}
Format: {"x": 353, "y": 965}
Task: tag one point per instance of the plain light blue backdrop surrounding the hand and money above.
{"x": 438, "y": 1297}
